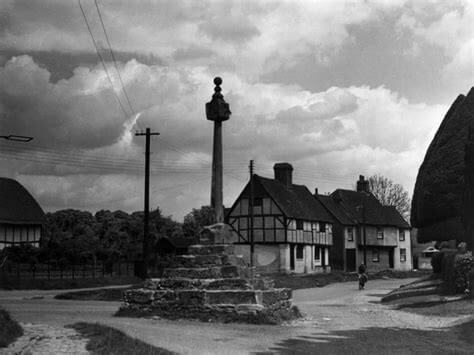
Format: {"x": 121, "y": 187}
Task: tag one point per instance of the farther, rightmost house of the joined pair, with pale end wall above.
{"x": 387, "y": 241}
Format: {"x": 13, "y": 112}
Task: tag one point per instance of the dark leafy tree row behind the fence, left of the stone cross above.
{"x": 73, "y": 237}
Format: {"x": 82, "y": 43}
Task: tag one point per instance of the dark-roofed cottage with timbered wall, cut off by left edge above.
{"x": 21, "y": 217}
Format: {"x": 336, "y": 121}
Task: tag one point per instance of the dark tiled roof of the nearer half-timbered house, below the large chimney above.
{"x": 296, "y": 201}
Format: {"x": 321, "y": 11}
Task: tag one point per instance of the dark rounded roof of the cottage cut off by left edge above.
{"x": 17, "y": 205}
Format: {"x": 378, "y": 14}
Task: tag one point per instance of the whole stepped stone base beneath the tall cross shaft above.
{"x": 211, "y": 284}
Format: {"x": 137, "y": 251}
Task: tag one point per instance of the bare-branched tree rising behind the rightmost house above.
{"x": 390, "y": 194}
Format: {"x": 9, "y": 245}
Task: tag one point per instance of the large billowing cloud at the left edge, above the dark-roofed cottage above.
{"x": 75, "y": 113}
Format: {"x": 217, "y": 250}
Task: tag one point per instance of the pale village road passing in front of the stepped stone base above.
{"x": 333, "y": 314}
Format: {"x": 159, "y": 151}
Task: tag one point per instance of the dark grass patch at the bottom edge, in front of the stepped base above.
{"x": 105, "y": 340}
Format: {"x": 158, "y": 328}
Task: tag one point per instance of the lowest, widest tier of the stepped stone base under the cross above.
{"x": 249, "y": 306}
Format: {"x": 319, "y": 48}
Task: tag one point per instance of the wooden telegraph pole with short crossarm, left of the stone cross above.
{"x": 147, "y": 135}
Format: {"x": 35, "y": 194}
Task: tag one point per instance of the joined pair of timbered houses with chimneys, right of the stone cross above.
{"x": 296, "y": 231}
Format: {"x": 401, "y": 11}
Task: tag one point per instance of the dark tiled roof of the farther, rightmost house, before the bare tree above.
{"x": 355, "y": 203}
